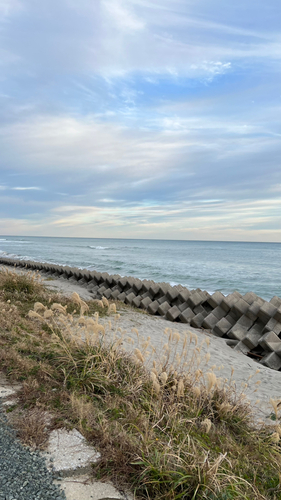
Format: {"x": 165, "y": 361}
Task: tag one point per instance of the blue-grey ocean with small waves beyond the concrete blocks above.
{"x": 208, "y": 265}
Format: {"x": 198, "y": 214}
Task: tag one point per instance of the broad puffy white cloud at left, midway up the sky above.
{"x": 67, "y": 144}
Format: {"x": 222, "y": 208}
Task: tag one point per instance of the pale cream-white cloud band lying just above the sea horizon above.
{"x": 234, "y": 221}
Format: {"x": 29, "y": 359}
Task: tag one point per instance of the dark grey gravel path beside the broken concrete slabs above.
{"x": 23, "y": 473}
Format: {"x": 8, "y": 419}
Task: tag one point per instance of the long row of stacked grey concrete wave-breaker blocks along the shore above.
{"x": 250, "y": 324}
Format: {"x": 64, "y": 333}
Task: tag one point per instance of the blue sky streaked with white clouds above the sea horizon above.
{"x": 141, "y": 119}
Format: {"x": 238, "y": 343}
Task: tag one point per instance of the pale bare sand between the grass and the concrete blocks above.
{"x": 229, "y": 364}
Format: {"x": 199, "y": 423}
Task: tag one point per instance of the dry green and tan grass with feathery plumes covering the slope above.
{"x": 167, "y": 431}
